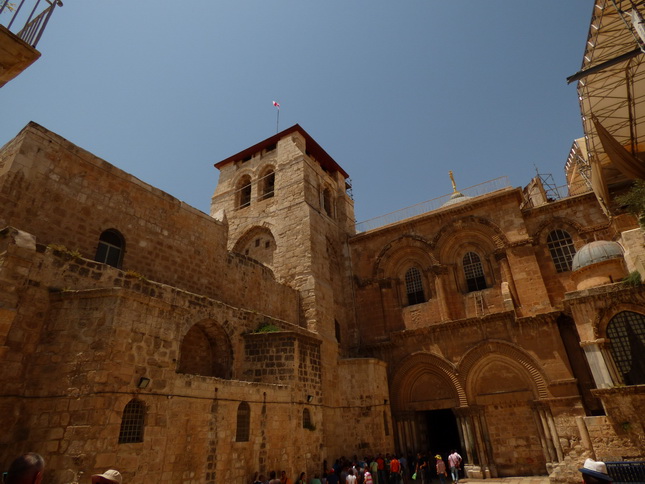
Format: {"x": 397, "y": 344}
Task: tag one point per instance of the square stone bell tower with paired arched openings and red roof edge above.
{"x": 287, "y": 206}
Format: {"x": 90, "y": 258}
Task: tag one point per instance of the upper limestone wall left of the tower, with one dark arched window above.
{"x": 68, "y": 197}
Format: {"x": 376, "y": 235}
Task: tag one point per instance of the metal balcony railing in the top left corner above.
{"x": 34, "y": 23}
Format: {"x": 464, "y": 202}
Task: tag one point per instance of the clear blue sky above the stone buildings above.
{"x": 398, "y": 92}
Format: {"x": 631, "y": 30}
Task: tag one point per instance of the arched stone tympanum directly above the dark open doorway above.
{"x": 425, "y": 382}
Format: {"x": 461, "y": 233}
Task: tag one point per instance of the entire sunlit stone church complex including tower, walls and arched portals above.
{"x": 274, "y": 333}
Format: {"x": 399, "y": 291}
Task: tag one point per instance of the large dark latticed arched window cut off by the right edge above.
{"x": 626, "y": 332}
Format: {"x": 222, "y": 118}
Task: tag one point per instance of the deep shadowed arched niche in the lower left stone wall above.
{"x": 206, "y": 350}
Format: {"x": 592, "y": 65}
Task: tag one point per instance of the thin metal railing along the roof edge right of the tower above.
{"x": 430, "y": 205}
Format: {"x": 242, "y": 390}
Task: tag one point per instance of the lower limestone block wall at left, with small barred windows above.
{"x": 68, "y": 374}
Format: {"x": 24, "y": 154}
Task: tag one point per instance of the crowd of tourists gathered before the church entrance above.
{"x": 379, "y": 469}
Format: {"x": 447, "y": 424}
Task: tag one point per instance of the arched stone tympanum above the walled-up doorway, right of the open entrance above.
{"x": 497, "y": 369}
